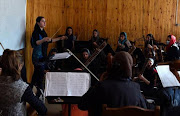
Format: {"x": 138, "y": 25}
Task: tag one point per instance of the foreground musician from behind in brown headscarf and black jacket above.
{"x": 117, "y": 90}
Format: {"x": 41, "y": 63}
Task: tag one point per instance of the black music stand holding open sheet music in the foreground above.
{"x": 72, "y": 86}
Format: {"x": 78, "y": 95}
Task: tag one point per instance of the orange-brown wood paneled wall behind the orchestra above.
{"x": 110, "y": 17}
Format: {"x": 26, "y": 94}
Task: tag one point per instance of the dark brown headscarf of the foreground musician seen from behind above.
{"x": 122, "y": 67}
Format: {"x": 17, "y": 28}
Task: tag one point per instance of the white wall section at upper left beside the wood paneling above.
{"x": 12, "y": 24}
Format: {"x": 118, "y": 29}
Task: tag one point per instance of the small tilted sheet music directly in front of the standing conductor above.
{"x": 63, "y": 55}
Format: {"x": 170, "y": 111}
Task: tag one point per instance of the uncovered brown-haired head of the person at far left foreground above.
{"x": 11, "y": 64}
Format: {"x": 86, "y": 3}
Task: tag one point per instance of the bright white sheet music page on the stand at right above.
{"x": 167, "y": 78}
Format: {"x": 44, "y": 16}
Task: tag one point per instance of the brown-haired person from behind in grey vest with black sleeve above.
{"x": 13, "y": 91}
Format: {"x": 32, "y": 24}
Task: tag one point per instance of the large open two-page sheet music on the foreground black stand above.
{"x": 66, "y": 83}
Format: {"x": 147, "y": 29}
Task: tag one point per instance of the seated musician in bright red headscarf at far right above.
{"x": 172, "y": 49}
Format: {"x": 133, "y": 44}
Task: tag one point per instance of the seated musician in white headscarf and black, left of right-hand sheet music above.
{"x": 149, "y": 78}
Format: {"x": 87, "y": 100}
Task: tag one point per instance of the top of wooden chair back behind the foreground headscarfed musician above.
{"x": 130, "y": 111}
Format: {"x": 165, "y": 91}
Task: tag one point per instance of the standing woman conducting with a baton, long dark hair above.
{"x": 39, "y": 42}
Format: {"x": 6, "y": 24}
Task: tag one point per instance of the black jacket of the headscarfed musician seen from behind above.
{"x": 114, "y": 93}
